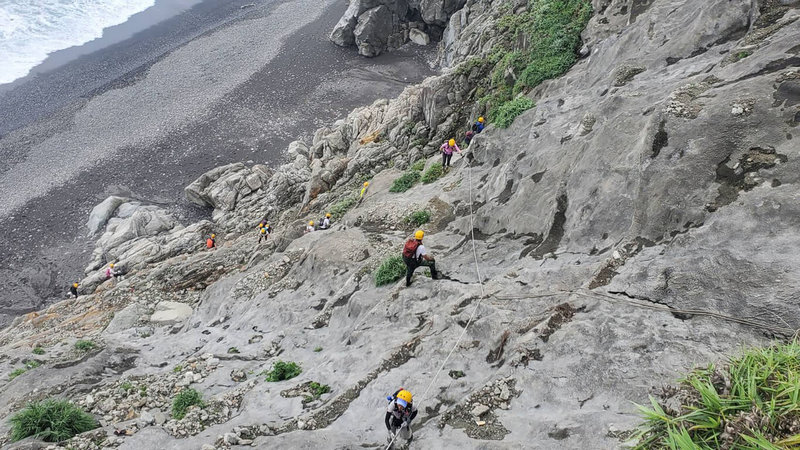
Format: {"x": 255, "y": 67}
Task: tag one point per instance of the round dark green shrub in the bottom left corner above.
{"x": 51, "y": 421}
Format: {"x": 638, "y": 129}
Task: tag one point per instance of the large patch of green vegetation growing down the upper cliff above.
{"x": 551, "y": 29}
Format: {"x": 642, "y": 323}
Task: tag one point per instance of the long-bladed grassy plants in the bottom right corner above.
{"x": 750, "y": 403}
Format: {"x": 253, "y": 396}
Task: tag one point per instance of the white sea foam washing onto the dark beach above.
{"x": 32, "y": 29}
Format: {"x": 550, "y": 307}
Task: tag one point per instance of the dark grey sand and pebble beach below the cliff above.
{"x": 144, "y": 117}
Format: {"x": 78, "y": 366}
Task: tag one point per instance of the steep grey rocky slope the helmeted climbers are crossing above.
{"x": 638, "y": 221}
